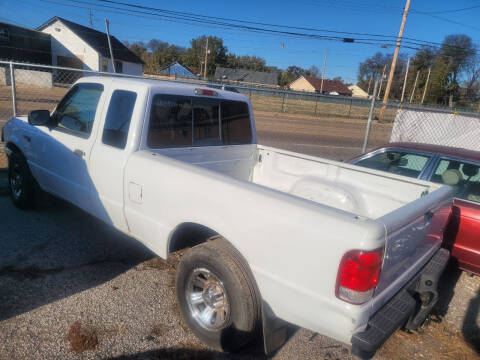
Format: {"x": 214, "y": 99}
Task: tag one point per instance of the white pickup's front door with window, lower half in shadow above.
{"x": 64, "y": 151}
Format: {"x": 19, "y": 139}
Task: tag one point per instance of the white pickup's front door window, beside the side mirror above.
{"x": 76, "y": 112}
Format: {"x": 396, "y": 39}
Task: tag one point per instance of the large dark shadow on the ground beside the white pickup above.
{"x": 56, "y": 251}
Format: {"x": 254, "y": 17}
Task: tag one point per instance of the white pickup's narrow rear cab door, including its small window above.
{"x": 116, "y": 140}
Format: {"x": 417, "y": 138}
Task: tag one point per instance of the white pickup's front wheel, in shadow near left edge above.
{"x": 20, "y": 181}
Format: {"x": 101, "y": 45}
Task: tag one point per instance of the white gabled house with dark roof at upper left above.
{"x": 77, "y": 46}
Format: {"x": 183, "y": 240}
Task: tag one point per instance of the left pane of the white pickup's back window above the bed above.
{"x": 170, "y": 122}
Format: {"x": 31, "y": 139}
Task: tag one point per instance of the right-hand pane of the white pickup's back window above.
{"x": 236, "y": 125}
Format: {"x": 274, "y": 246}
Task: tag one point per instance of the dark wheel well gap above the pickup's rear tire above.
{"x": 188, "y": 235}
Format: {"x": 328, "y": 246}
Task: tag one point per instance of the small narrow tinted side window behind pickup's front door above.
{"x": 119, "y": 115}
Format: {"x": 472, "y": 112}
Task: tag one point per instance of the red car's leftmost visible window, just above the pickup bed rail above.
{"x": 396, "y": 162}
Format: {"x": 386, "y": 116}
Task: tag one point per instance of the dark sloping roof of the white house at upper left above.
{"x": 97, "y": 40}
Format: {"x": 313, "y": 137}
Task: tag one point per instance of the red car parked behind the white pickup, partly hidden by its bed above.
{"x": 456, "y": 167}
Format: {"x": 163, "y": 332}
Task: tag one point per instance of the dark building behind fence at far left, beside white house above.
{"x": 27, "y": 46}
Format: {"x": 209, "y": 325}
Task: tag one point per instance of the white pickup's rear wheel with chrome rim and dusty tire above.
{"x": 210, "y": 276}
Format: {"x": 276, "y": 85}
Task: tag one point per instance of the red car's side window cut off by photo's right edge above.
{"x": 462, "y": 176}
